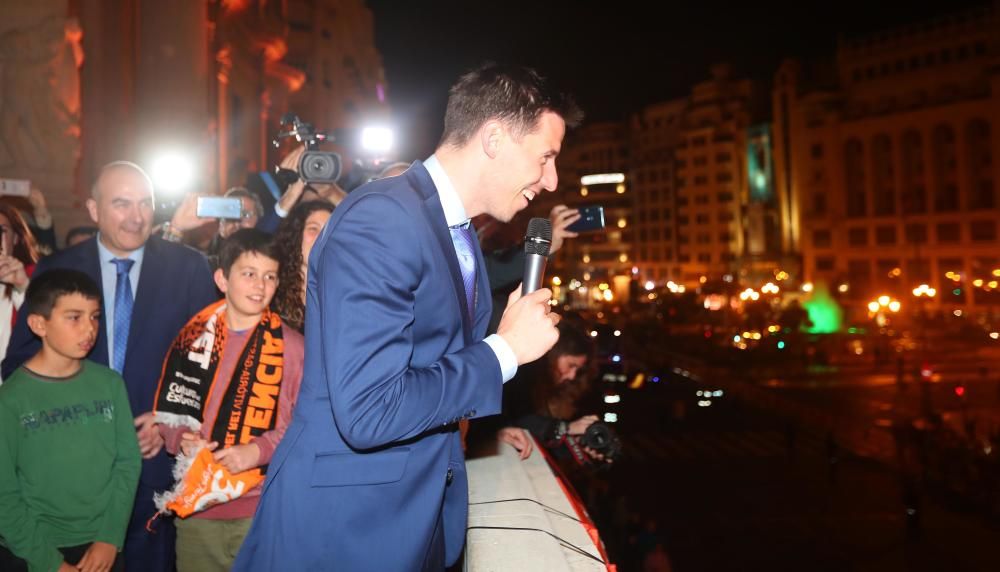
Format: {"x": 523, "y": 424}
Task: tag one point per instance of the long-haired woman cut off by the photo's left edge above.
{"x": 18, "y": 255}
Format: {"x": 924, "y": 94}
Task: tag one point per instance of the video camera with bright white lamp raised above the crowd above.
{"x": 325, "y": 167}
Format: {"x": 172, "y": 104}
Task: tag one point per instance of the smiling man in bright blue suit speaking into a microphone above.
{"x": 370, "y": 474}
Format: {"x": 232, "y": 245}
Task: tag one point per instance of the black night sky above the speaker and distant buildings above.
{"x": 613, "y": 60}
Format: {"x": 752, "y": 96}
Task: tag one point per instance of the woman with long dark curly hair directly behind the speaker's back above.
{"x": 294, "y": 241}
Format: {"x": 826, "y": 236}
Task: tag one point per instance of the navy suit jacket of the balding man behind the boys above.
{"x": 174, "y": 284}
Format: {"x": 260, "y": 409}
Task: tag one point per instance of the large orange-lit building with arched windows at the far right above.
{"x": 889, "y": 164}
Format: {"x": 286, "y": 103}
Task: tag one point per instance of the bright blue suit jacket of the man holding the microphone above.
{"x": 393, "y": 362}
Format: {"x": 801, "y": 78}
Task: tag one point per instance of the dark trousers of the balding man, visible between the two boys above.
{"x": 145, "y": 550}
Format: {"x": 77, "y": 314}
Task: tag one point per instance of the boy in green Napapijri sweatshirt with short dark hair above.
{"x": 69, "y": 457}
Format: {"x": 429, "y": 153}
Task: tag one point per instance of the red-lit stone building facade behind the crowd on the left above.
{"x": 132, "y": 79}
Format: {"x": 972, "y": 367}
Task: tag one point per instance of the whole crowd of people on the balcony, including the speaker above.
{"x": 142, "y": 362}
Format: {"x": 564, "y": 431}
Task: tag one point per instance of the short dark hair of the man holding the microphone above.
{"x": 513, "y": 94}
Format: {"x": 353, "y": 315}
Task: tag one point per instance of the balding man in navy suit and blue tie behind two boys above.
{"x": 150, "y": 289}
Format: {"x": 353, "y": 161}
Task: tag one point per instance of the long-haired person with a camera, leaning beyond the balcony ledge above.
{"x": 547, "y": 399}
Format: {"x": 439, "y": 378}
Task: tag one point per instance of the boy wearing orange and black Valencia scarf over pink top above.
{"x": 229, "y": 385}
